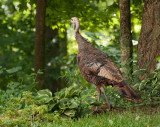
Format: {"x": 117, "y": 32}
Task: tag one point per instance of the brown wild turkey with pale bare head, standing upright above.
{"x": 97, "y": 68}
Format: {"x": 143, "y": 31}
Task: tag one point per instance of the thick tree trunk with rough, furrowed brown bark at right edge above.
{"x": 149, "y": 41}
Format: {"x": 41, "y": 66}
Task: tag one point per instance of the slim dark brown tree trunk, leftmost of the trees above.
{"x": 40, "y": 42}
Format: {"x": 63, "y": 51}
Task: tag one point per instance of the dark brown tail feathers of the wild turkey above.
{"x": 128, "y": 92}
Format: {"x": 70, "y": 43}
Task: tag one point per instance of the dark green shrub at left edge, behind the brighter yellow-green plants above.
{"x": 16, "y": 82}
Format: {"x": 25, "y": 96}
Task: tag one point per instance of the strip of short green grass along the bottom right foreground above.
{"x": 113, "y": 119}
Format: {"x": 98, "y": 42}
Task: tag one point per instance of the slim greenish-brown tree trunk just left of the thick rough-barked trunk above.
{"x": 125, "y": 36}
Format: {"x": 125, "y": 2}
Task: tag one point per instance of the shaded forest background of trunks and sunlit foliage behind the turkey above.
{"x": 36, "y": 36}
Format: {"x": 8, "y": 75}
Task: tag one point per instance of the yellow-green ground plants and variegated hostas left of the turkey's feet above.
{"x": 35, "y": 108}
